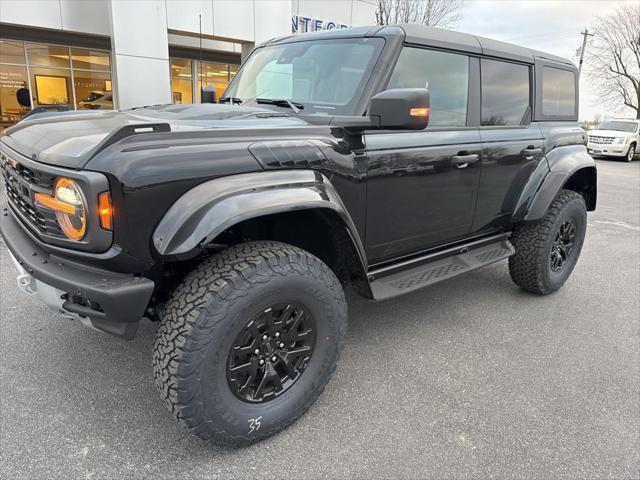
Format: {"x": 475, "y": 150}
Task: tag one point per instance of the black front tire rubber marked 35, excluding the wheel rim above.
{"x": 203, "y": 317}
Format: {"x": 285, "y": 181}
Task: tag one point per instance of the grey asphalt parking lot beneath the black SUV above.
{"x": 471, "y": 378}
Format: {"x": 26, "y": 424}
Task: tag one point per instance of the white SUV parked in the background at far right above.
{"x": 617, "y": 138}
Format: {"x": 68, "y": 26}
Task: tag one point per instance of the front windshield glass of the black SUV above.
{"x": 325, "y": 76}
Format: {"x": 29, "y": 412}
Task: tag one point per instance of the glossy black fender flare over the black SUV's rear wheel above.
{"x": 569, "y": 166}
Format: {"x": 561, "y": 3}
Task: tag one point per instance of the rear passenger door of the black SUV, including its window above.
{"x": 511, "y": 142}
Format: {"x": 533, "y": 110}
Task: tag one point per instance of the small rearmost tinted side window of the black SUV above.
{"x": 558, "y": 92}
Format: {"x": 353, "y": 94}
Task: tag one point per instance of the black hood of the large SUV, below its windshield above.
{"x": 70, "y": 139}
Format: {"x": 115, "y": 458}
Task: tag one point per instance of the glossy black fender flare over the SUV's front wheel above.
{"x": 212, "y": 207}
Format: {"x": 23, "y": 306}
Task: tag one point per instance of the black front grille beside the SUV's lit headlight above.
{"x": 21, "y": 183}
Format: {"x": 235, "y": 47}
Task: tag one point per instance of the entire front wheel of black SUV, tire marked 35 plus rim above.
{"x": 248, "y": 341}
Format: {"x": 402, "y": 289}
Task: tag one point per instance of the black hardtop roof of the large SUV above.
{"x": 435, "y": 37}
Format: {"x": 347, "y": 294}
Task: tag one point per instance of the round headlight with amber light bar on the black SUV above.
{"x": 70, "y": 207}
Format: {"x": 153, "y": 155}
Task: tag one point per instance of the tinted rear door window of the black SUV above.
{"x": 505, "y": 92}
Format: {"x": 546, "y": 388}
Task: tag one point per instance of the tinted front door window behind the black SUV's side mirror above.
{"x": 446, "y": 75}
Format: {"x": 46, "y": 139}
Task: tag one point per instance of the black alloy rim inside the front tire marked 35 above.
{"x": 270, "y": 354}
